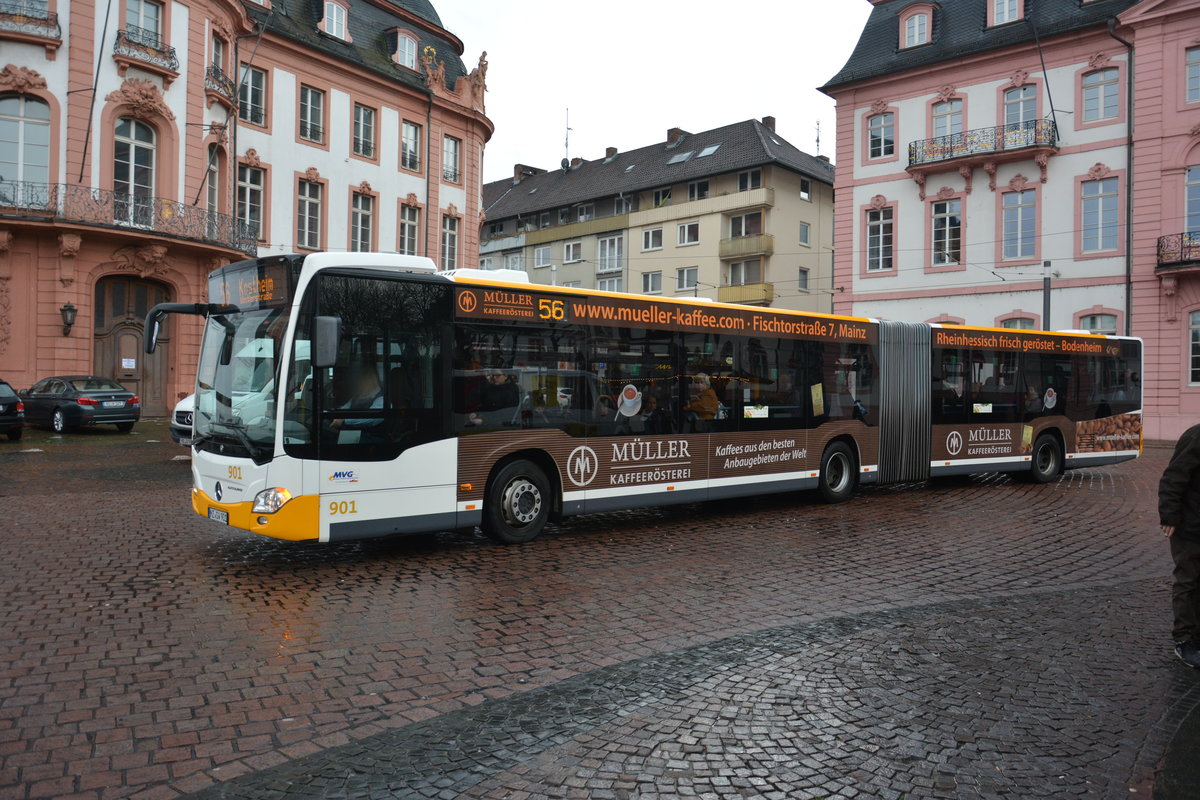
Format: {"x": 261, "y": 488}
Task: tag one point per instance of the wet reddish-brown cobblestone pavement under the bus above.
{"x": 974, "y": 639}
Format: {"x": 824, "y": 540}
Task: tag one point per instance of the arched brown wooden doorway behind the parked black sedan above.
{"x": 121, "y": 312}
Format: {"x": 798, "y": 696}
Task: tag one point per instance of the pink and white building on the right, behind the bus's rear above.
{"x": 980, "y": 140}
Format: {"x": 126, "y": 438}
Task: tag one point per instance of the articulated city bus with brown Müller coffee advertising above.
{"x": 344, "y": 396}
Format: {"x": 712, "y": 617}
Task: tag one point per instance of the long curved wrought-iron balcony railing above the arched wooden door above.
{"x": 95, "y": 207}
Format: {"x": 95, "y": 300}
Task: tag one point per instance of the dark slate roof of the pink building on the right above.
{"x": 961, "y": 29}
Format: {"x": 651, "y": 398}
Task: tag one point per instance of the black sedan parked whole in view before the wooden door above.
{"x": 71, "y": 401}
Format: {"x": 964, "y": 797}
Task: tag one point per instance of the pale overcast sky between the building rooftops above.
{"x": 629, "y": 70}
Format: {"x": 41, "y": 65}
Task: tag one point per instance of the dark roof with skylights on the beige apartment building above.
{"x": 742, "y": 146}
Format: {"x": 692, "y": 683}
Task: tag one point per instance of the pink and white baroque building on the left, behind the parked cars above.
{"x": 145, "y": 146}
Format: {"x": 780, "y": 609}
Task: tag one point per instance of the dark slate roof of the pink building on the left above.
{"x": 369, "y": 46}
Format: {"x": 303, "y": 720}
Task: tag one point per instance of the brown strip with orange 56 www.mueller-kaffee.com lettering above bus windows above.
{"x": 481, "y": 303}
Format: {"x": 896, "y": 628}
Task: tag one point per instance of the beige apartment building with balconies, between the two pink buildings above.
{"x": 735, "y": 214}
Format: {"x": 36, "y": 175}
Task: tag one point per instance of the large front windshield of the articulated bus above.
{"x": 237, "y": 382}
